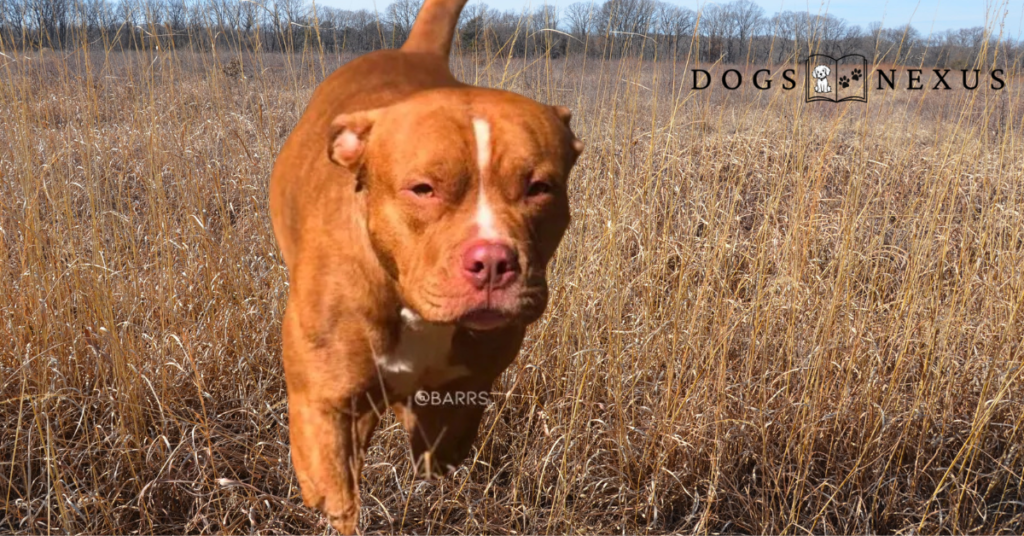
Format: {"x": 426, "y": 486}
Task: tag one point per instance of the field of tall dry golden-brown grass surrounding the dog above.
{"x": 767, "y": 318}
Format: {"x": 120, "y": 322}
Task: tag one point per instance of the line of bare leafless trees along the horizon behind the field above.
{"x": 737, "y": 32}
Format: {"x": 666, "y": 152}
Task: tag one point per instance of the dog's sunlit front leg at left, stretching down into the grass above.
{"x": 333, "y": 413}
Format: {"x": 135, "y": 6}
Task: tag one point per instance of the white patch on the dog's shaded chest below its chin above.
{"x": 421, "y": 358}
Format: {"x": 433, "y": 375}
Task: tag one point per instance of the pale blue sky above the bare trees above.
{"x": 926, "y": 16}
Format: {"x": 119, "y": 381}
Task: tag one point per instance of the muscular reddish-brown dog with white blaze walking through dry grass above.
{"x": 417, "y": 217}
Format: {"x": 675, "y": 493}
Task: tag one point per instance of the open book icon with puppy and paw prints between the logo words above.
{"x": 836, "y": 80}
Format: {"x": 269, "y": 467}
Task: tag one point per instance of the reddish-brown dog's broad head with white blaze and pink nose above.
{"x": 466, "y": 199}
